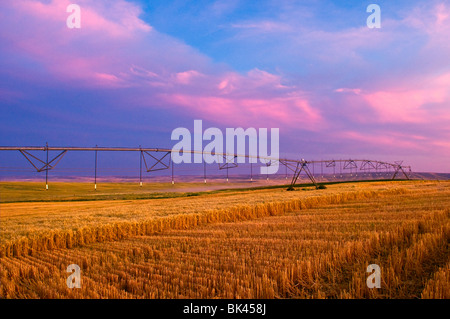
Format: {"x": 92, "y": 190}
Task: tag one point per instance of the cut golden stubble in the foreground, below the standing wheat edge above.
{"x": 315, "y": 253}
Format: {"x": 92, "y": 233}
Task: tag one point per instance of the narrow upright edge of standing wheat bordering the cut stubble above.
{"x": 54, "y": 239}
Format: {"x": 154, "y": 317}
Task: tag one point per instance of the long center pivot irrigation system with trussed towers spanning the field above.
{"x": 162, "y": 159}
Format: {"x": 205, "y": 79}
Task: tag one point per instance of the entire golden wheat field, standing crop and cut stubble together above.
{"x": 266, "y": 243}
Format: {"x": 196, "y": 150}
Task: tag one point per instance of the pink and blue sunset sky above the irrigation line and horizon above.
{"x": 136, "y": 70}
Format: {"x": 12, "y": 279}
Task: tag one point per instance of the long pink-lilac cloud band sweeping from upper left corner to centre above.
{"x": 117, "y": 49}
